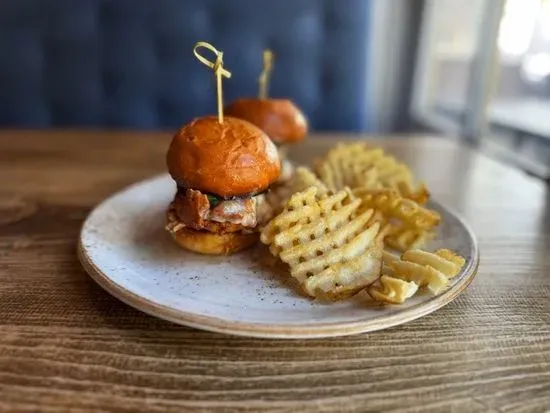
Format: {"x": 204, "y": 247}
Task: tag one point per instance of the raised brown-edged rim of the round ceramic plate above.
{"x": 295, "y": 331}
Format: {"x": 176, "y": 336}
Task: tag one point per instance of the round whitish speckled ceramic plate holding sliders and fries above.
{"x": 125, "y": 249}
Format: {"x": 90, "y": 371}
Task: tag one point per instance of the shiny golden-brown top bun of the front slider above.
{"x": 233, "y": 158}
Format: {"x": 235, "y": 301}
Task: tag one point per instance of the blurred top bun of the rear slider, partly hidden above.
{"x": 279, "y": 118}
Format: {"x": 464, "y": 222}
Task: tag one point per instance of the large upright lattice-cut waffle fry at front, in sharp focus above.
{"x": 332, "y": 252}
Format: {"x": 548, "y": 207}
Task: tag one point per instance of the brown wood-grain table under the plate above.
{"x": 64, "y": 342}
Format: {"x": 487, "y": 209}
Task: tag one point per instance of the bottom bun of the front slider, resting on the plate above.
{"x": 205, "y": 242}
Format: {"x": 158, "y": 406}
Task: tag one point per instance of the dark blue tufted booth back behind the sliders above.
{"x": 129, "y": 63}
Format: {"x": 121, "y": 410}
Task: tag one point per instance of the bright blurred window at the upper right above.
{"x": 483, "y": 72}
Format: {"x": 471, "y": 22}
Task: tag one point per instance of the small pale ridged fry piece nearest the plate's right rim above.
{"x": 431, "y": 270}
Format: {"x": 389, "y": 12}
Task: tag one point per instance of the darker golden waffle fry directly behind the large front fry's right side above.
{"x": 412, "y": 224}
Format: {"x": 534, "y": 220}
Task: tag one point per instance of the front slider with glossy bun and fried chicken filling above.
{"x": 221, "y": 171}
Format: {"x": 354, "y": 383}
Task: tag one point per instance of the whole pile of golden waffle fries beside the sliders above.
{"x": 340, "y": 226}
